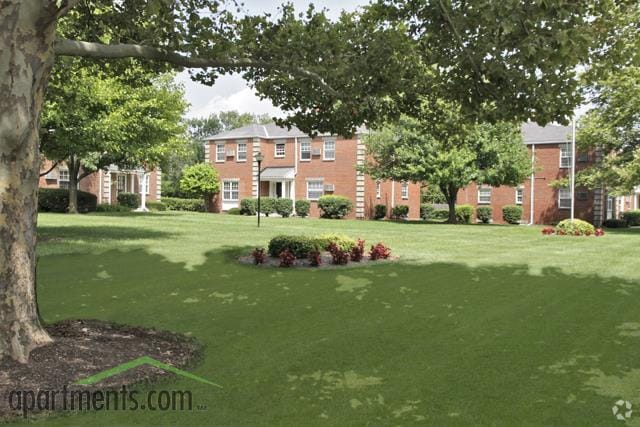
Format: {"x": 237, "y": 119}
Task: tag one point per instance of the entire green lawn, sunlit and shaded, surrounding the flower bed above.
{"x": 473, "y": 325}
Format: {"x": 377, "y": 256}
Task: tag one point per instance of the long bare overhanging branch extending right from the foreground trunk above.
{"x": 65, "y": 47}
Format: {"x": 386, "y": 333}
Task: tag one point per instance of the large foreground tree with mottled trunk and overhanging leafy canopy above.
{"x": 328, "y": 77}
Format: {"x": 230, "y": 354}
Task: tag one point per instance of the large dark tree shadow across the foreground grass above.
{"x": 489, "y": 344}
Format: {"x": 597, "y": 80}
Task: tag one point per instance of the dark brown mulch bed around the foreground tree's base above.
{"x": 82, "y": 348}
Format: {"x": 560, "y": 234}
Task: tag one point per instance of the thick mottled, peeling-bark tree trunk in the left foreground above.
{"x": 27, "y": 30}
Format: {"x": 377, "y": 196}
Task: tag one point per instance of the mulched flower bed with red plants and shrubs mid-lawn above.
{"x": 317, "y": 251}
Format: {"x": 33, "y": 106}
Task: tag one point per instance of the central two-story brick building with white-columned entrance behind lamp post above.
{"x": 298, "y": 167}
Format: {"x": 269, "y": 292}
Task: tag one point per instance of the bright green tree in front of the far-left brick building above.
{"x": 93, "y": 121}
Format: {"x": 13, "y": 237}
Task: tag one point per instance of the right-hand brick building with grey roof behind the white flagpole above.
{"x": 550, "y": 151}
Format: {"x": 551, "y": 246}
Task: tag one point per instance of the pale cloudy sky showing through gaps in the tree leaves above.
{"x": 231, "y": 92}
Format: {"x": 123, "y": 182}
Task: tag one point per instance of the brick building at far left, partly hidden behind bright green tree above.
{"x": 105, "y": 184}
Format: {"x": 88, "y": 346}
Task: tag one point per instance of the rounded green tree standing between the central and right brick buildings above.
{"x": 442, "y": 148}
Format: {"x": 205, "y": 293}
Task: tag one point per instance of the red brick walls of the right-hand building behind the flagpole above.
{"x": 546, "y": 210}
